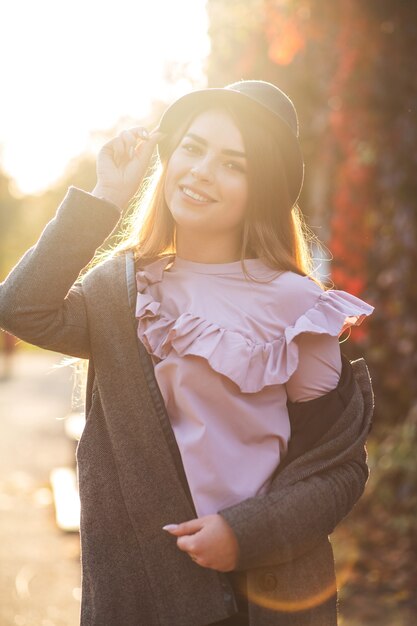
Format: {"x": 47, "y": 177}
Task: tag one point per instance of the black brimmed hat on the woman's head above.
{"x": 268, "y": 99}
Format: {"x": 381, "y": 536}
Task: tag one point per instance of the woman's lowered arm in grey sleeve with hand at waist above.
{"x": 314, "y": 493}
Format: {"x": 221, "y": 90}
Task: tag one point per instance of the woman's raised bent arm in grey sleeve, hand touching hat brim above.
{"x": 39, "y": 301}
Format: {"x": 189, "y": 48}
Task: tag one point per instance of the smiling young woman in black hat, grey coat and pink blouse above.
{"x": 184, "y": 511}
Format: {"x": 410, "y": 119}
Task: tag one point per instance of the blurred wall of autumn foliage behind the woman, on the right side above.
{"x": 350, "y": 67}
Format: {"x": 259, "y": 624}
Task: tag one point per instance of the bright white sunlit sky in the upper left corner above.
{"x": 73, "y": 68}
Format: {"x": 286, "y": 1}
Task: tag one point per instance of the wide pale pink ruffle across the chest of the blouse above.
{"x": 249, "y": 364}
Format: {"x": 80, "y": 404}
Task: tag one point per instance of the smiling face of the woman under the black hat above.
{"x": 206, "y": 185}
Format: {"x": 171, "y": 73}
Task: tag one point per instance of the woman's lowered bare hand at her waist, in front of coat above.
{"x": 209, "y": 541}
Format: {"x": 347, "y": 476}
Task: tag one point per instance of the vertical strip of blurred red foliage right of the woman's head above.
{"x": 350, "y": 125}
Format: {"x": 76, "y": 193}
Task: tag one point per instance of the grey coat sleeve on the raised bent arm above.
{"x": 39, "y": 301}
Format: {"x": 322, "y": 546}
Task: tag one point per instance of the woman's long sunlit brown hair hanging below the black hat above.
{"x": 273, "y": 230}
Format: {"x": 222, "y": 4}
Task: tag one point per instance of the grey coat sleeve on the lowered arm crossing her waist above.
{"x": 295, "y": 516}
